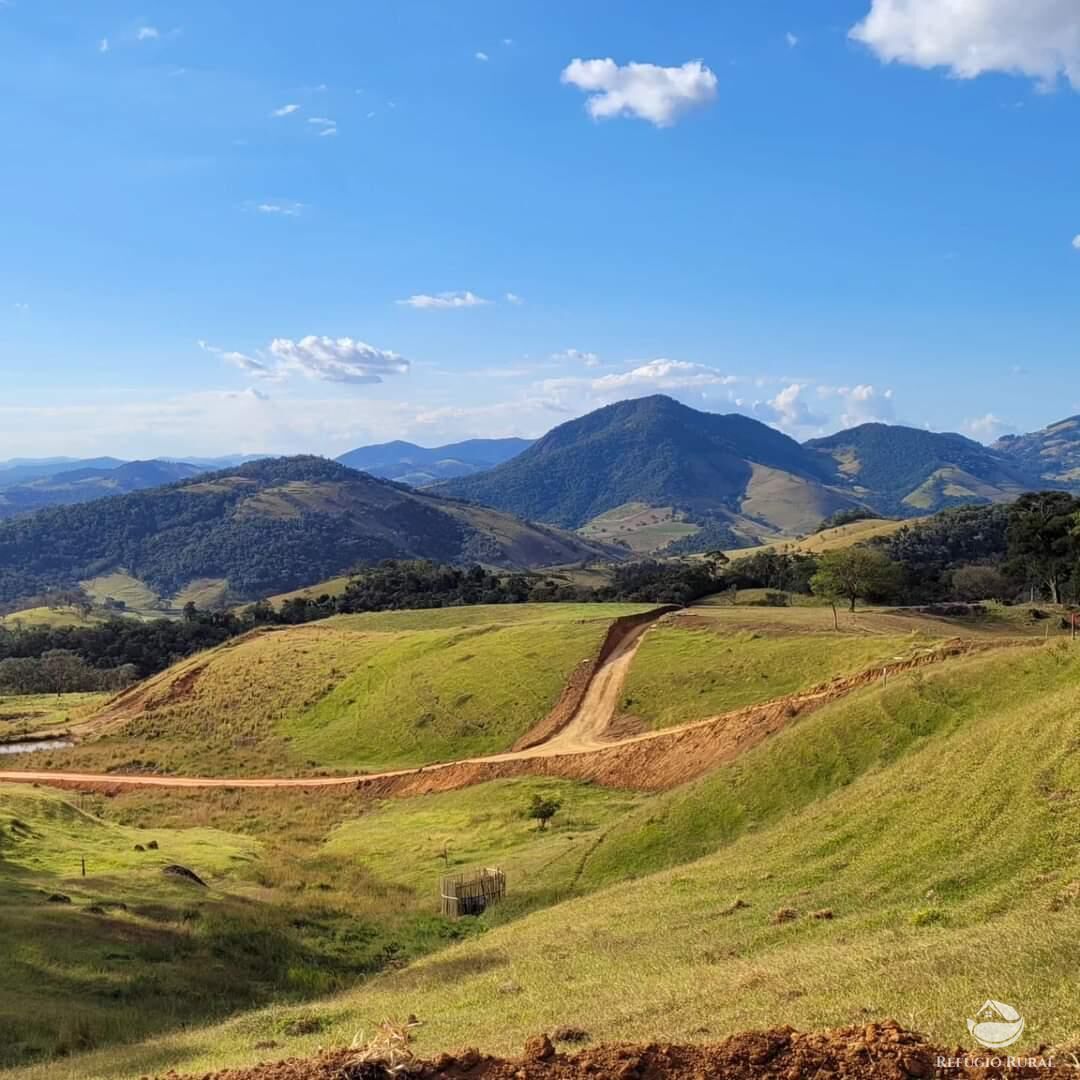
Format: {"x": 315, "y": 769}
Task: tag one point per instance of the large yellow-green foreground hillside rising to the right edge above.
{"x": 938, "y": 820}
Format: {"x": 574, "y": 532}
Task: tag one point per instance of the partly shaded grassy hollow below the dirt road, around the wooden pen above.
{"x": 288, "y": 916}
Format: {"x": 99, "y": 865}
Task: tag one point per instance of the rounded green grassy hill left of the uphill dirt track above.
{"x": 353, "y": 693}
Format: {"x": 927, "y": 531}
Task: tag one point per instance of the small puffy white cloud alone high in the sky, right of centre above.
{"x": 658, "y": 94}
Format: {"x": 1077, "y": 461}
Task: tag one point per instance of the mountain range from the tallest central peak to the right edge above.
{"x": 745, "y": 481}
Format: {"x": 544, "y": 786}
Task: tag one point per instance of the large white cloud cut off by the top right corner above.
{"x": 1035, "y": 38}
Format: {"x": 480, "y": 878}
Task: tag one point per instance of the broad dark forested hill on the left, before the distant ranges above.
{"x": 265, "y": 528}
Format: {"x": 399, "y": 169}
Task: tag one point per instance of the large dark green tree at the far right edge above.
{"x": 1043, "y": 542}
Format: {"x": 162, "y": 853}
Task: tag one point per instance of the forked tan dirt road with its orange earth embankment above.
{"x": 579, "y": 750}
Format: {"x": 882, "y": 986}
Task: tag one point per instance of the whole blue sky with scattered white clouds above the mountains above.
{"x": 287, "y": 228}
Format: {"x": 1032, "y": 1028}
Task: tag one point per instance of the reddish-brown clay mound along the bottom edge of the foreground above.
{"x": 876, "y": 1052}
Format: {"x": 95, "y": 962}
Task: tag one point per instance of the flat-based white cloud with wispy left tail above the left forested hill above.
{"x": 326, "y": 359}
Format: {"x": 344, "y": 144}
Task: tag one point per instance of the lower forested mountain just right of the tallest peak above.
{"x": 911, "y": 471}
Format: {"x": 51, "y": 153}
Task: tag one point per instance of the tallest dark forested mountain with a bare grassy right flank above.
{"x": 727, "y": 470}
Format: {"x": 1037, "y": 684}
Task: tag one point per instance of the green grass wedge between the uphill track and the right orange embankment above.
{"x": 682, "y": 676}
